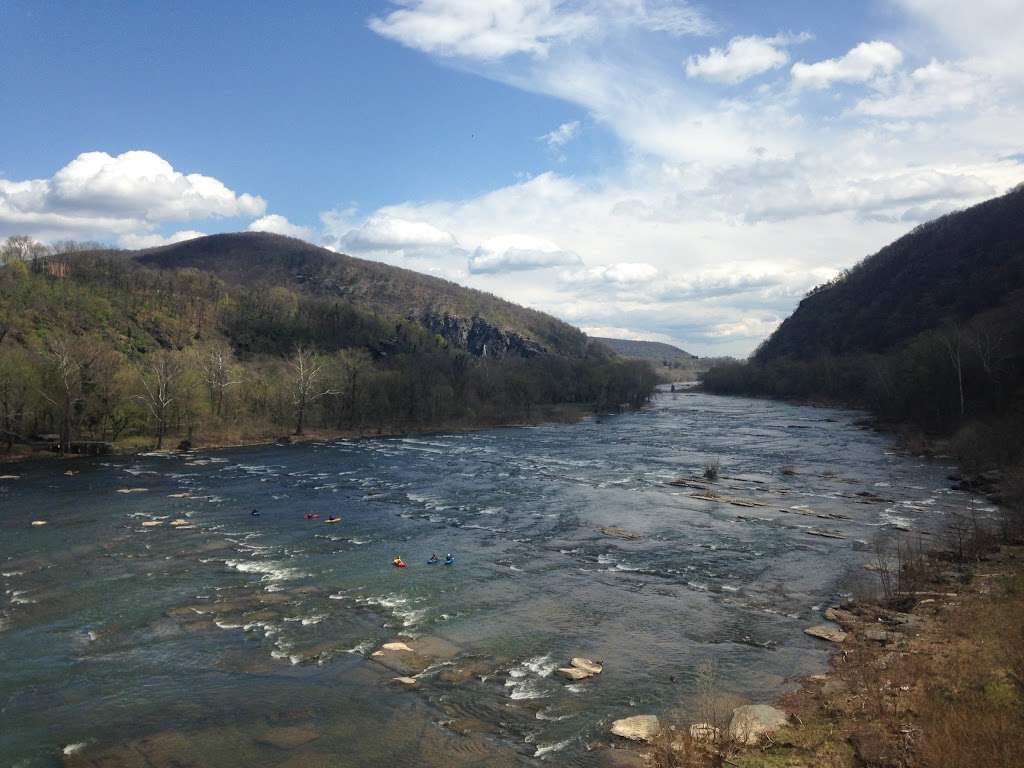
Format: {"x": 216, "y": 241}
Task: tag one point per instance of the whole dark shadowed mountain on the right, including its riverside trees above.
{"x": 927, "y": 333}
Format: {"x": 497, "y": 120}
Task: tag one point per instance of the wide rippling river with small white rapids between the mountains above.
{"x": 228, "y": 639}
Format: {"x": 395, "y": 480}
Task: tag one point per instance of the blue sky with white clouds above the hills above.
{"x": 643, "y": 168}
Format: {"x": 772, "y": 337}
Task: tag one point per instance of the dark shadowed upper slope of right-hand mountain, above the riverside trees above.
{"x": 949, "y": 271}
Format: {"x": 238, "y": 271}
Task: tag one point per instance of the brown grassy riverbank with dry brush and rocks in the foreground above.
{"x": 929, "y": 677}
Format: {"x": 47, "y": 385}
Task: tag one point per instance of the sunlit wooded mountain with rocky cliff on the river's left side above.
{"x": 240, "y": 337}
